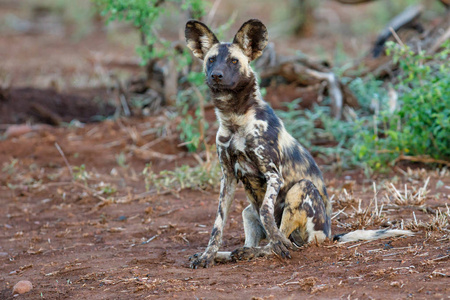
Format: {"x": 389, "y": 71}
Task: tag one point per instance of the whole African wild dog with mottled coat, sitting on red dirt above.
{"x": 289, "y": 205}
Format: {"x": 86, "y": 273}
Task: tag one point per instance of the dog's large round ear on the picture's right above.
{"x": 252, "y": 38}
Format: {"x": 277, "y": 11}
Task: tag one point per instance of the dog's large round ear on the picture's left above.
{"x": 199, "y": 38}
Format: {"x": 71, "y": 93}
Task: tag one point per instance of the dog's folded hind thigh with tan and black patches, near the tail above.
{"x": 304, "y": 217}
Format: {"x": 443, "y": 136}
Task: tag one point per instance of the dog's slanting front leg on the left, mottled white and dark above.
{"x": 207, "y": 258}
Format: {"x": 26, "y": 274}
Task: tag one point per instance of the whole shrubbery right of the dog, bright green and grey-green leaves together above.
{"x": 375, "y": 138}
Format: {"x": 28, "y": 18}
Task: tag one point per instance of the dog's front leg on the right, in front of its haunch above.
{"x": 278, "y": 243}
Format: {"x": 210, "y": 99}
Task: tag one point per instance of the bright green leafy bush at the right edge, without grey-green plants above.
{"x": 421, "y": 124}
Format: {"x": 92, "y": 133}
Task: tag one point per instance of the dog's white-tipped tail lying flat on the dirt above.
{"x": 364, "y": 235}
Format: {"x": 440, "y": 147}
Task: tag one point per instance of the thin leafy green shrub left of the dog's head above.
{"x": 145, "y": 16}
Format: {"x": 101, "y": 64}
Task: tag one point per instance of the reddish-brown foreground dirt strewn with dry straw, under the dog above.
{"x": 71, "y": 244}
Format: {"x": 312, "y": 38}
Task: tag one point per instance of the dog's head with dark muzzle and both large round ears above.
{"x": 227, "y": 65}
